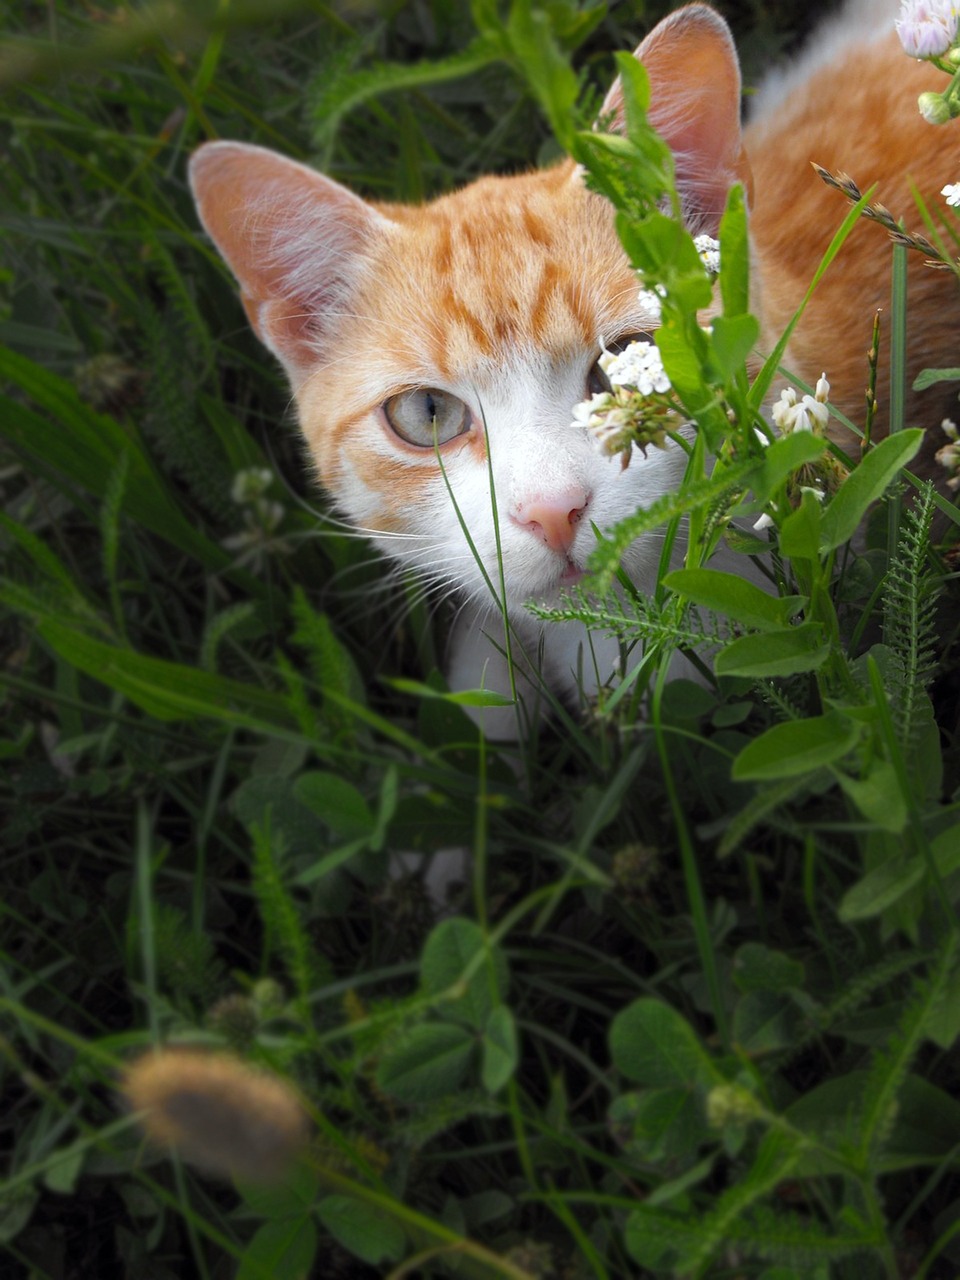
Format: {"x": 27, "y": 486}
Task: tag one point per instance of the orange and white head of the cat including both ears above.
{"x": 437, "y": 349}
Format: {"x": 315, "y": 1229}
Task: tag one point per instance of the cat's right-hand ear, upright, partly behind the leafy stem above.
{"x": 696, "y": 107}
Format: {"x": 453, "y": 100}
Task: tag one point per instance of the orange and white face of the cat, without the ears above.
{"x": 483, "y": 314}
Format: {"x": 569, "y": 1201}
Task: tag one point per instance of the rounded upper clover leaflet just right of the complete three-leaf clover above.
{"x": 653, "y": 1045}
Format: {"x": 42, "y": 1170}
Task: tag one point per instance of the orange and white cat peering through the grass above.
{"x": 482, "y": 316}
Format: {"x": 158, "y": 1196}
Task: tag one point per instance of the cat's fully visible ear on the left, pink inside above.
{"x": 298, "y": 243}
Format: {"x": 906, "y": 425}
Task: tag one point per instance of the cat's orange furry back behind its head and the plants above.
{"x": 849, "y": 103}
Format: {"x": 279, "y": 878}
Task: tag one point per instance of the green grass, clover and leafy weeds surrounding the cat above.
{"x": 697, "y": 1013}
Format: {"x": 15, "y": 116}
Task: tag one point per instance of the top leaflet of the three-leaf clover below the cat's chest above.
{"x": 455, "y": 948}
